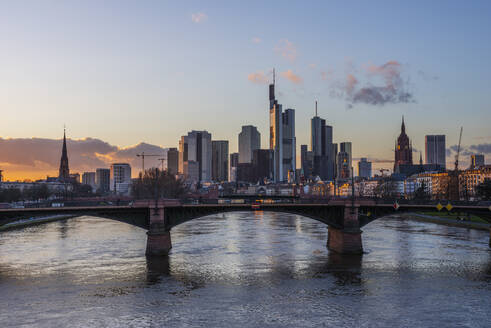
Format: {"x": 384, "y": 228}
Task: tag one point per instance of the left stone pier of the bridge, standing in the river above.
{"x": 158, "y": 236}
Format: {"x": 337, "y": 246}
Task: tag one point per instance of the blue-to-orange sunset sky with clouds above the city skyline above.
{"x": 132, "y": 75}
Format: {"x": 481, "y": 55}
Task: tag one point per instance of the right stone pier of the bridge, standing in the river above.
{"x": 348, "y": 239}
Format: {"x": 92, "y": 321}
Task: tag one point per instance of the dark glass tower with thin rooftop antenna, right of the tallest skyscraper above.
{"x": 324, "y": 161}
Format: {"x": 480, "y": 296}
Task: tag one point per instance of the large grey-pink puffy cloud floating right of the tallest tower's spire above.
{"x": 389, "y": 88}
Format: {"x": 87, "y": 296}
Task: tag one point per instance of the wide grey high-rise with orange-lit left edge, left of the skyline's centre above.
{"x": 196, "y": 147}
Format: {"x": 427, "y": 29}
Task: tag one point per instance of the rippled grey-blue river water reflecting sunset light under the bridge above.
{"x": 244, "y": 270}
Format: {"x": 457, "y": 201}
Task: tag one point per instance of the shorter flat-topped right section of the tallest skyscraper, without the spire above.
{"x": 289, "y": 144}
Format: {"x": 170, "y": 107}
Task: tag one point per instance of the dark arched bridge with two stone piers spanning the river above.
{"x": 344, "y": 218}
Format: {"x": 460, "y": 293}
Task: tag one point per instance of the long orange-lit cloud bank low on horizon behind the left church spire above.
{"x": 38, "y": 157}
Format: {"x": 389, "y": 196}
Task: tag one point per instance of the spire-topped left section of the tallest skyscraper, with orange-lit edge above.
{"x": 276, "y": 133}
